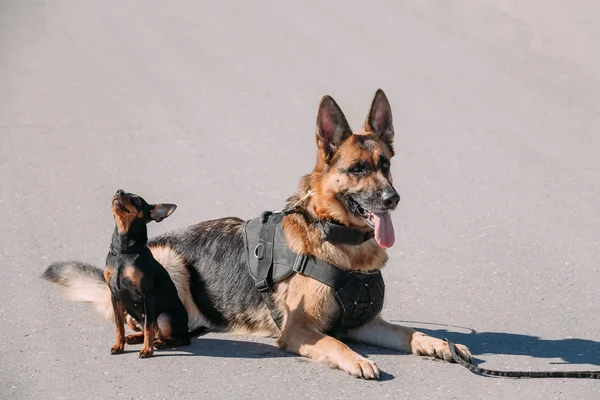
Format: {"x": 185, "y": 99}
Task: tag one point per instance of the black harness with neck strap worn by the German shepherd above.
{"x": 270, "y": 260}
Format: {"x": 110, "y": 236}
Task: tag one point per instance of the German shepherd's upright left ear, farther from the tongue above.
{"x": 332, "y": 127}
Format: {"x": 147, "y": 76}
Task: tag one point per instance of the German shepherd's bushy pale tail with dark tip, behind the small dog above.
{"x": 83, "y": 283}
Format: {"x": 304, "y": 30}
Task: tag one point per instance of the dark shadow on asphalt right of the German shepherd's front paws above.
{"x": 570, "y": 350}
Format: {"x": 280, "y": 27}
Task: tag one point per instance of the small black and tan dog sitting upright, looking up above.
{"x": 140, "y": 286}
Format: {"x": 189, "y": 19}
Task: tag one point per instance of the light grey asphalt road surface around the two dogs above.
{"x": 212, "y": 105}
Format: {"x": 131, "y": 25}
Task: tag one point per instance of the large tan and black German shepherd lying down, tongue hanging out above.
{"x": 350, "y": 184}
